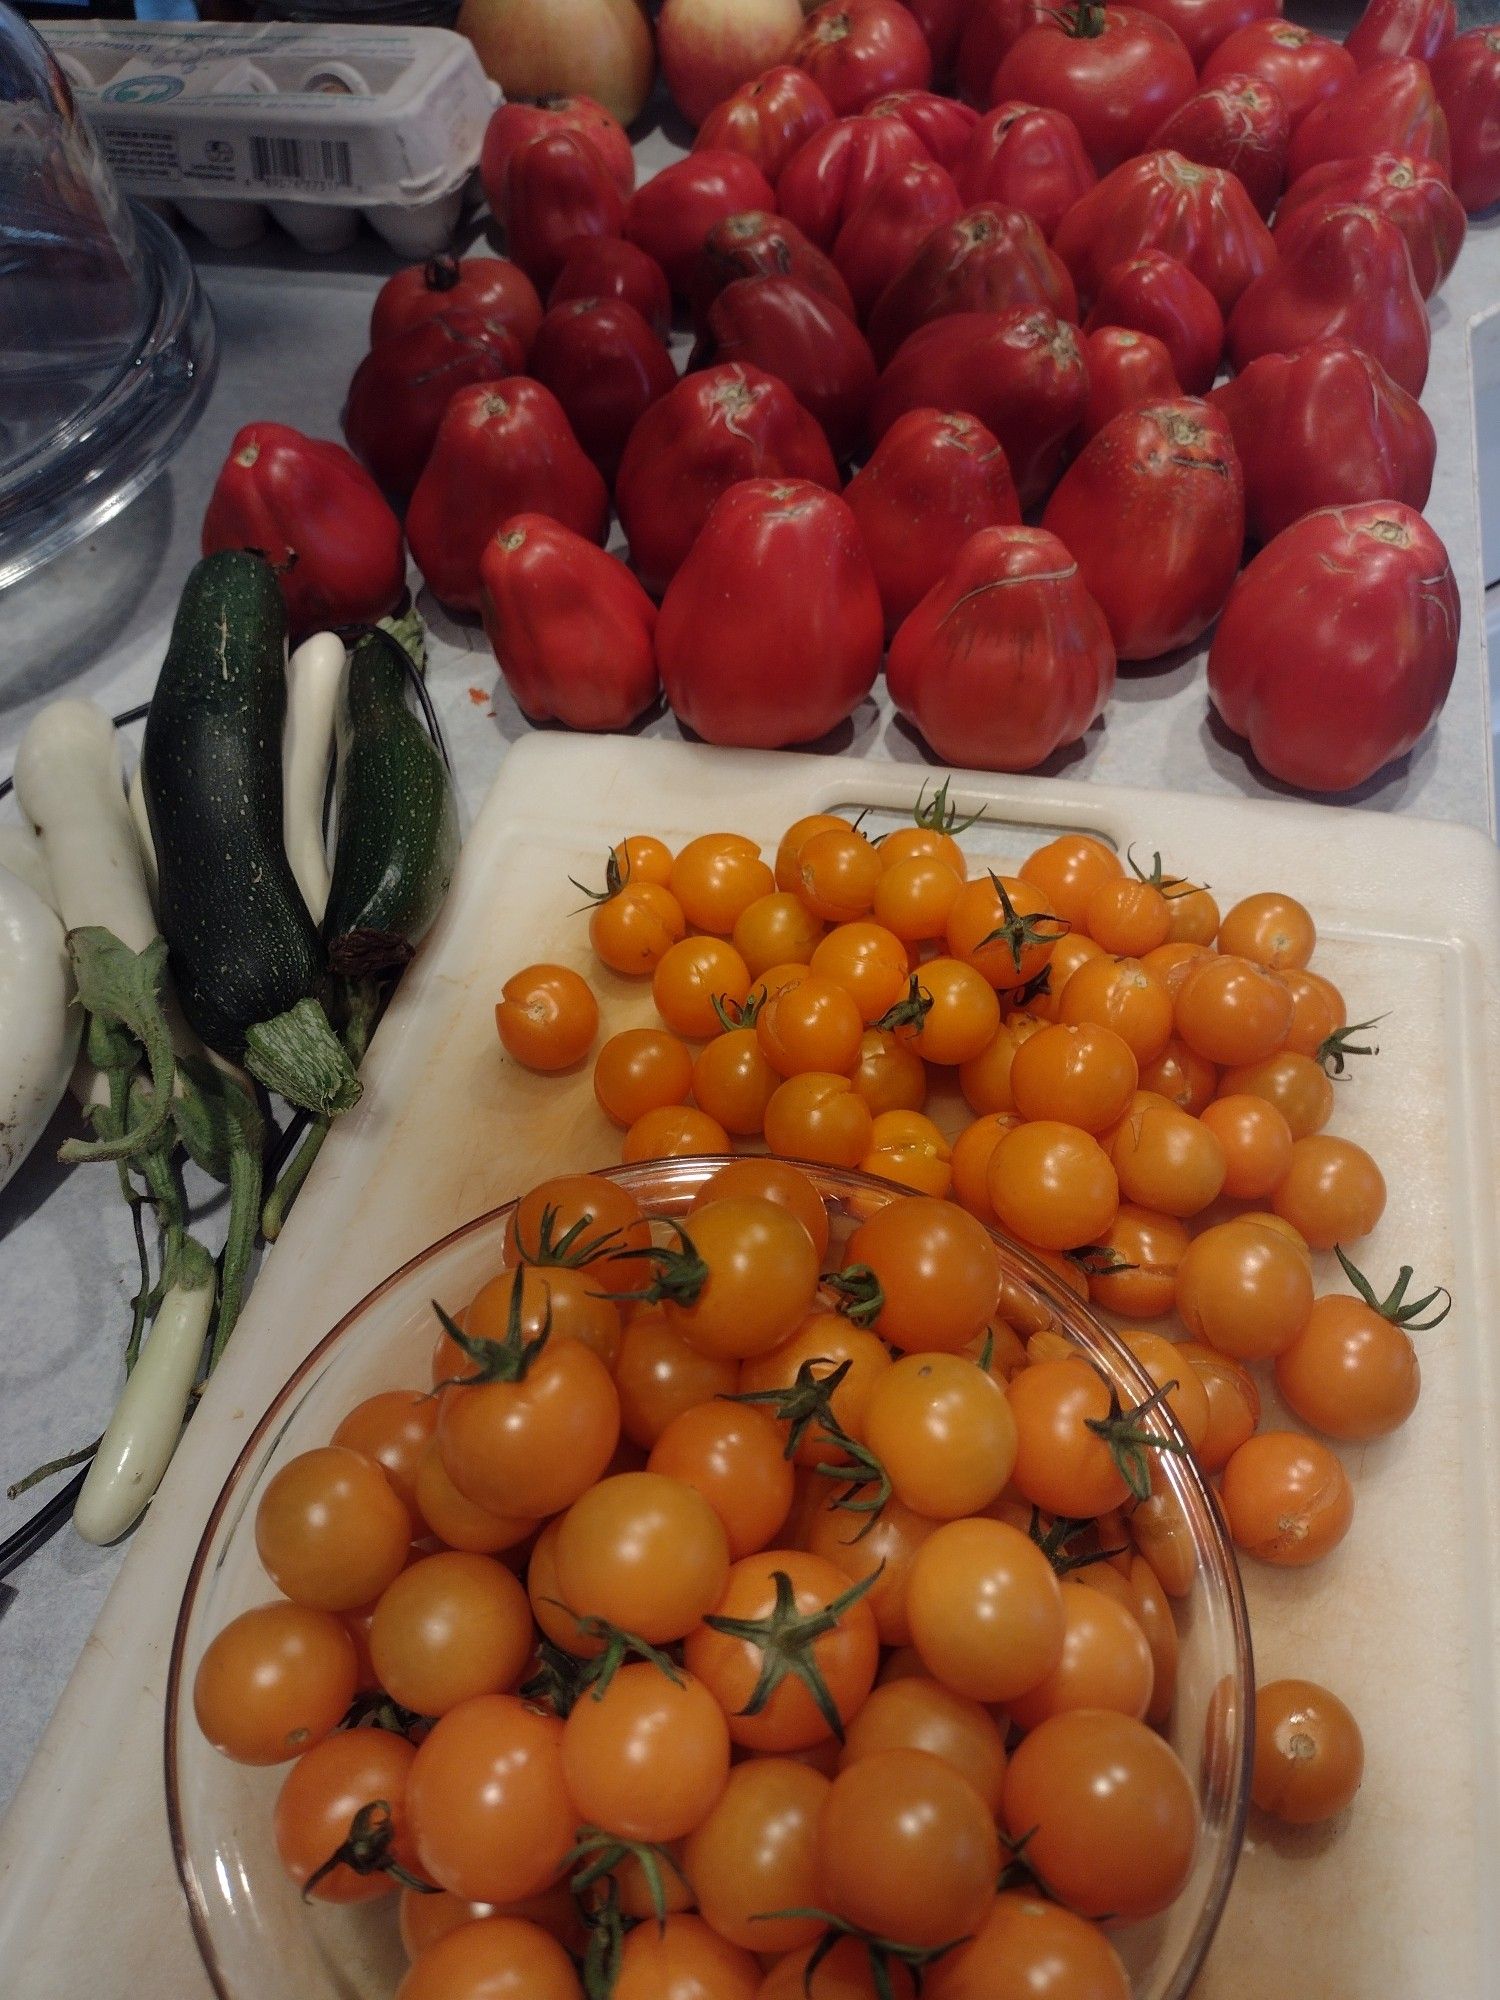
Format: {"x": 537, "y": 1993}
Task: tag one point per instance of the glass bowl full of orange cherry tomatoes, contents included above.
{"x": 725, "y": 1577}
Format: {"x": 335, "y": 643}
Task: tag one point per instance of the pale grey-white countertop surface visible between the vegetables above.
{"x": 97, "y": 623}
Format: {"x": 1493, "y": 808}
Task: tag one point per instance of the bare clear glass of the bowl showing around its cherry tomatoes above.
{"x": 263, "y": 1943}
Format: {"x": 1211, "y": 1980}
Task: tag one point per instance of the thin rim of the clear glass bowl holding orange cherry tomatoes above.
{"x": 1181, "y": 1467}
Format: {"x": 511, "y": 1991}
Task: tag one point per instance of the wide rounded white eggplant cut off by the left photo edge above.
{"x": 39, "y": 1023}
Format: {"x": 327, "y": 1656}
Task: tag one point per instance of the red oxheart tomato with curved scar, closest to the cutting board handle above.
{"x": 1007, "y": 657}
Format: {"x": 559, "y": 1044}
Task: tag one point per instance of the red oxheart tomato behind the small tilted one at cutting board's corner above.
{"x": 503, "y": 449}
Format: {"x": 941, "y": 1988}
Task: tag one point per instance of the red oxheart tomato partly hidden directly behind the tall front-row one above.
{"x": 715, "y": 429}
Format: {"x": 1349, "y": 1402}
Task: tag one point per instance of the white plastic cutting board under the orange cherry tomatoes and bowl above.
{"x": 1395, "y": 1903}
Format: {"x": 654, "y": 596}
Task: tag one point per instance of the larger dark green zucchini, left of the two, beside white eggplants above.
{"x": 241, "y": 941}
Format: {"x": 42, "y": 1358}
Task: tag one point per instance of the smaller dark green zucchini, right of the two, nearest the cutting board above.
{"x": 397, "y": 819}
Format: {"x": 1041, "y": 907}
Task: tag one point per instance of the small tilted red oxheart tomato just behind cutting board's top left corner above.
{"x": 569, "y": 625}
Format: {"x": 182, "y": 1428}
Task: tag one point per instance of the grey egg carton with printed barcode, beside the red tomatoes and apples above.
{"x": 309, "y": 125}
